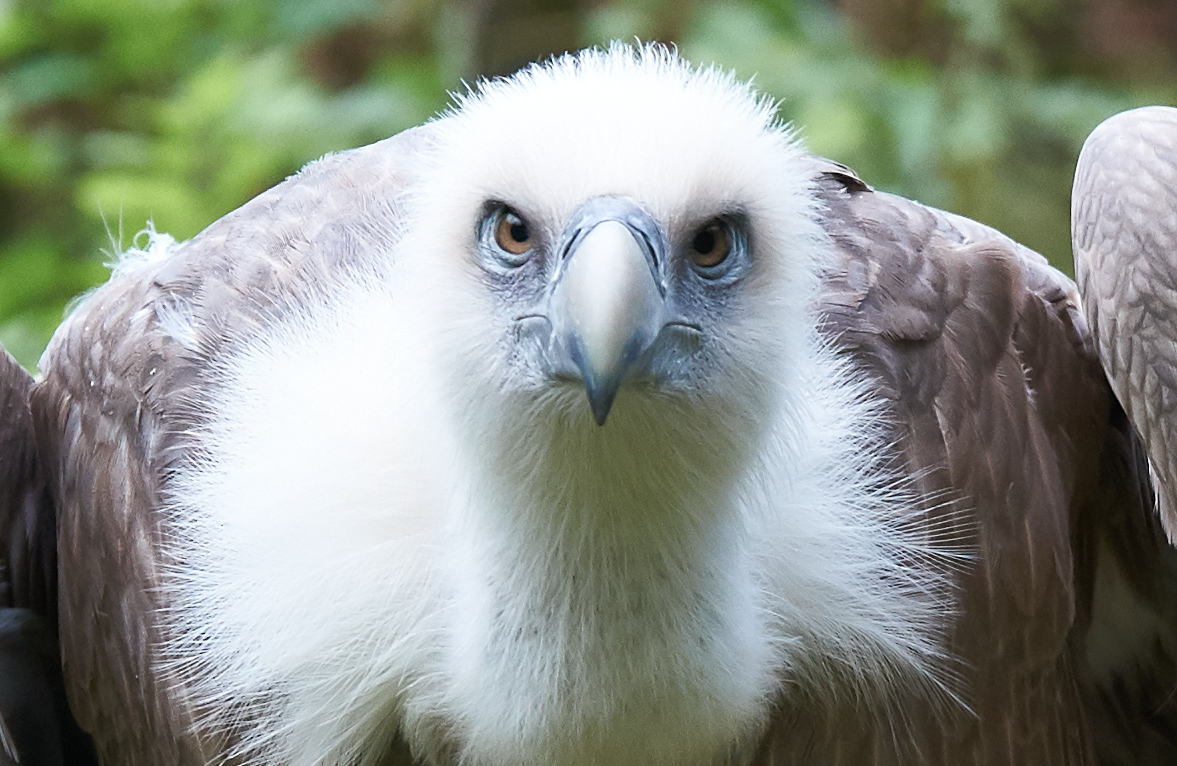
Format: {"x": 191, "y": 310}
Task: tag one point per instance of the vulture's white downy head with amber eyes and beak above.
{"x": 622, "y": 228}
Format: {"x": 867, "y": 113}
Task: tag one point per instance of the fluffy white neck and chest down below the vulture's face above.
{"x": 526, "y": 612}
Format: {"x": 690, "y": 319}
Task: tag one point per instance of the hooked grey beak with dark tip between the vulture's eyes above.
{"x": 609, "y": 301}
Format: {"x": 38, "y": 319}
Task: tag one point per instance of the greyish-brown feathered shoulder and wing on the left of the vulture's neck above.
{"x": 115, "y": 415}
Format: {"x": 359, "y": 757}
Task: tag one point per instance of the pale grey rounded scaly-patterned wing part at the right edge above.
{"x": 1125, "y": 231}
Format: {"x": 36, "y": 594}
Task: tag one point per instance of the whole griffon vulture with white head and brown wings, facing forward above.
{"x": 596, "y": 422}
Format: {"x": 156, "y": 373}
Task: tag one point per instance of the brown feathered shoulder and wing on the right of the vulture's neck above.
{"x": 999, "y": 404}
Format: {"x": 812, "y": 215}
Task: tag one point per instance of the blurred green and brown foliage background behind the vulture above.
{"x": 114, "y": 115}
